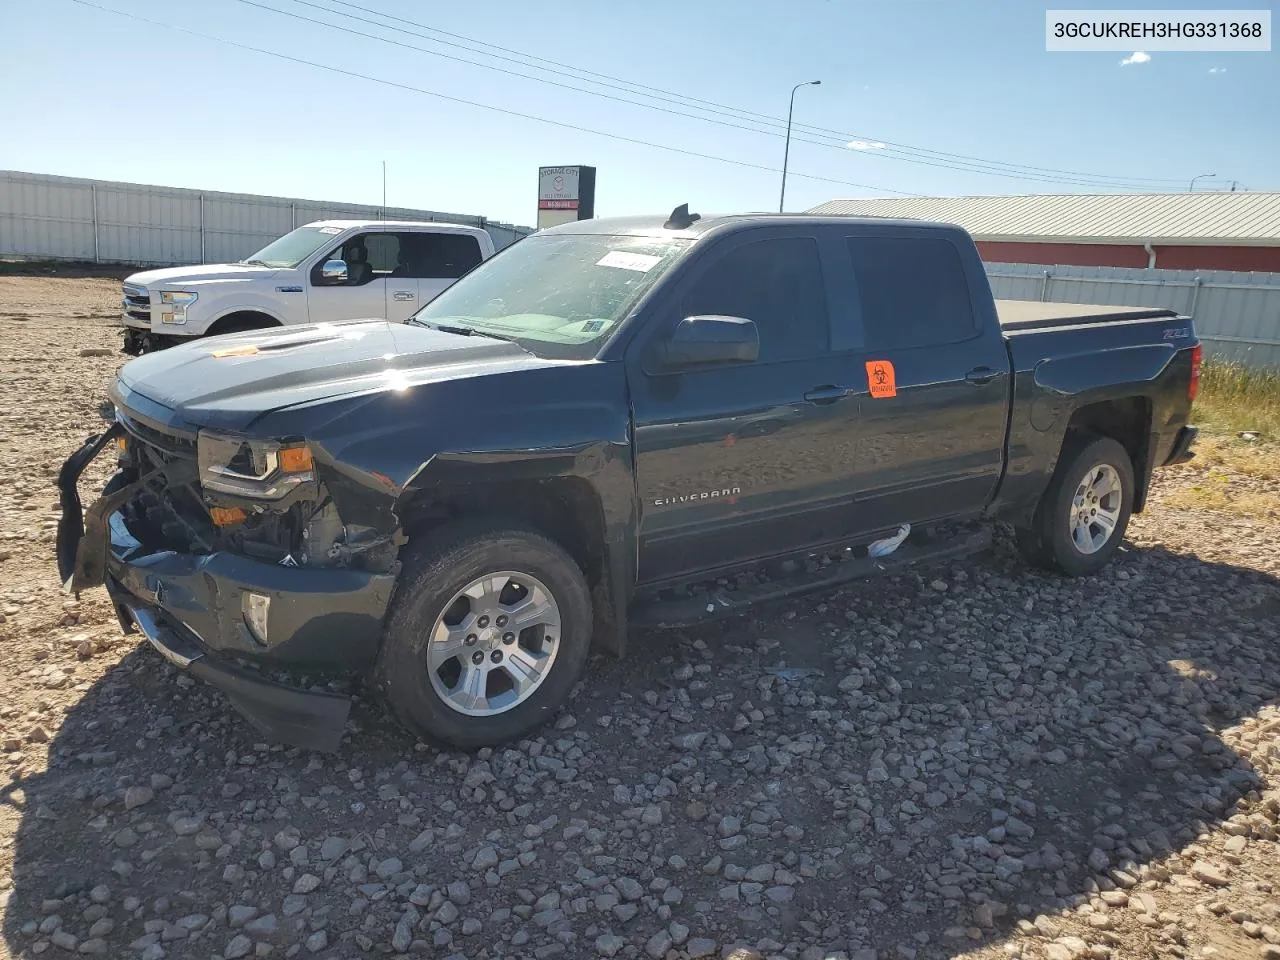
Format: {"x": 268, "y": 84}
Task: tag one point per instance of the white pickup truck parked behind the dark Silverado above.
{"x": 326, "y": 271}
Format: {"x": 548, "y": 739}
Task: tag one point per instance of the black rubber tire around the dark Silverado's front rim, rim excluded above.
{"x": 449, "y": 561}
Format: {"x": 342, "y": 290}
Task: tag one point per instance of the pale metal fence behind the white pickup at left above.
{"x": 68, "y": 218}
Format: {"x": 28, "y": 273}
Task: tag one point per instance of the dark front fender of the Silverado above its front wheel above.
{"x": 394, "y": 459}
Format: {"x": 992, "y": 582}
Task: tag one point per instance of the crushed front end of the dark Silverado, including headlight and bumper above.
{"x": 231, "y": 557}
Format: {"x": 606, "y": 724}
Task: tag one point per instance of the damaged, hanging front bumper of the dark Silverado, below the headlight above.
{"x": 204, "y": 612}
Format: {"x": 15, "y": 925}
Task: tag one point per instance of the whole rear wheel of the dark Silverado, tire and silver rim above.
{"x": 1084, "y": 515}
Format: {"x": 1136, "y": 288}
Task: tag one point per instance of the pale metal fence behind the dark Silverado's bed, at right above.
{"x": 1237, "y": 314}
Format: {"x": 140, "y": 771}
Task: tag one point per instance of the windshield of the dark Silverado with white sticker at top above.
{"x": 557, "y": 295}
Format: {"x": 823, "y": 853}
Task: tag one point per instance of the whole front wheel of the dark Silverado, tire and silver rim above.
{"x": 490, "y": 633}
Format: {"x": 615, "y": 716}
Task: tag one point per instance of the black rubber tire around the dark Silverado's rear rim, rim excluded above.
{"x": 1049, "y": 542}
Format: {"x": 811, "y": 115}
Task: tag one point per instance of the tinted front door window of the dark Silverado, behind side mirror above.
{"x": 778, "y": 285}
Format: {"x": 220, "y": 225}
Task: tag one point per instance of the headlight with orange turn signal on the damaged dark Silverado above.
{"x": 263, "y": 470}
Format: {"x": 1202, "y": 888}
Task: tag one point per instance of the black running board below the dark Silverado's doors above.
{"x": 717, "y": 604}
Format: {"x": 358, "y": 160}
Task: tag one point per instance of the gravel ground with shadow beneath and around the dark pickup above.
{"x": 981, "y": 761}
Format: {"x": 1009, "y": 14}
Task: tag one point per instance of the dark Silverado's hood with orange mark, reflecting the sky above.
{"x": 232, "y": 381}
